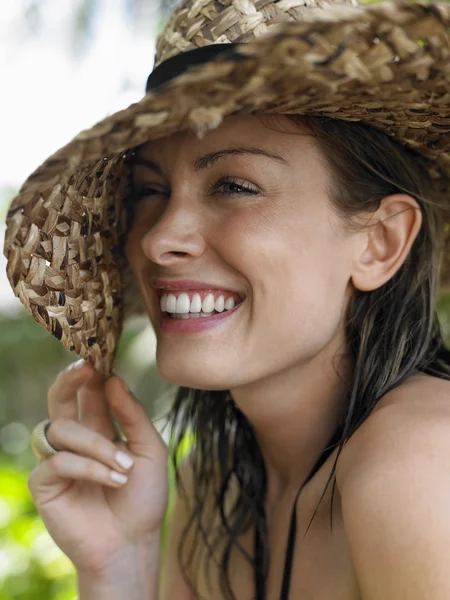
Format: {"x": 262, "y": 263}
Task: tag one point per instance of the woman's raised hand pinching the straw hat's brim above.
{"x": 91, "y": 516}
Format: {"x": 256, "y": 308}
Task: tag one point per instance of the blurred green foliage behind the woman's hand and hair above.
{"x": 32, "y": 567}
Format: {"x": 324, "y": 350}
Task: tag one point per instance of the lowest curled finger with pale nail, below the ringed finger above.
{"x": 66, "y": 466}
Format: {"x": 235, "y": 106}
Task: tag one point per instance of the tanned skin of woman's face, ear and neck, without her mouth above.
{"x": 283, "y": 358}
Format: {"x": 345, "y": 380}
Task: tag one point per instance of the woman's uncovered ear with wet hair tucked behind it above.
{"x": 387, "y": 240}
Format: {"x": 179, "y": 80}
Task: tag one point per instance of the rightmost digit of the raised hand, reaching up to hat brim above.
{"x": 142, "y": 437}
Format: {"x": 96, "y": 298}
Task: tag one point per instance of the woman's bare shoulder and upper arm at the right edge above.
{"x": 395, "y": 492}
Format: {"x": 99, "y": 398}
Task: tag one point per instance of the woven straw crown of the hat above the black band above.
{"x": 198, "y": 23}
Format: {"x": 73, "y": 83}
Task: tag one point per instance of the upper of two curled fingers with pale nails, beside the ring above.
{"x": 66, "y": 434}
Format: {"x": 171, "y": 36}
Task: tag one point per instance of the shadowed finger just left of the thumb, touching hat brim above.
{"x": 94, "y": 410}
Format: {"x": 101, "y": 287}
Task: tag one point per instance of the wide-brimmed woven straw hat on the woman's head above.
{"x": 385, "y": 64}
